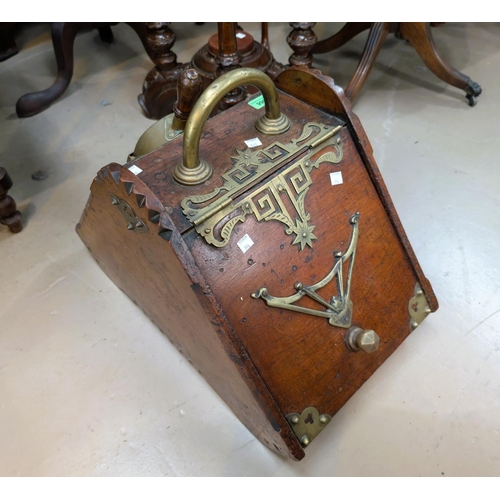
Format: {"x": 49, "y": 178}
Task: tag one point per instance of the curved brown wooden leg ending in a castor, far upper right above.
{"x": 419, "y": 35}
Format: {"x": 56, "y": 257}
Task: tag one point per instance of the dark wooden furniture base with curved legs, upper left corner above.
{"x": 63, "y": 38}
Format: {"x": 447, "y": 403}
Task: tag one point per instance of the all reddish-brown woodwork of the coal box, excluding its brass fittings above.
{"x": 265, "y": 362}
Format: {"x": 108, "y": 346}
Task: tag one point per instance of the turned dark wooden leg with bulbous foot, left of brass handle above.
{"x": 159, "y": 91}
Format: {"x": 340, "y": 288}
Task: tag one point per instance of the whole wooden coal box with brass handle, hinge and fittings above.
{"x": 273, "y": 272}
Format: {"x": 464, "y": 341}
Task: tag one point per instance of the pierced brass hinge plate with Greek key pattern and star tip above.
{"x": 215, "y": 214}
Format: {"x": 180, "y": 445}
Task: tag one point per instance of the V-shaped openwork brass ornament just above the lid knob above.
{"x": 339, "y": 309}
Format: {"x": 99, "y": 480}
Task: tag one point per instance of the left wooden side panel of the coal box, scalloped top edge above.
{"x": 161, "y": 278}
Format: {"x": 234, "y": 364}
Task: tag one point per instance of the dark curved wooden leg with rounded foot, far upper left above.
{"x": 63, "y": 38}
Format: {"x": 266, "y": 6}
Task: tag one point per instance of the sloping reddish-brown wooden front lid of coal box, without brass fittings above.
{"x": 302, "y": 358}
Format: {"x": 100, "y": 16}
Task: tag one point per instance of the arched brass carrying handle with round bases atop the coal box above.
{"x": 193, "y": 170}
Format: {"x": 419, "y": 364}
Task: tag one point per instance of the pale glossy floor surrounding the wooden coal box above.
{"x": 90, "y": 387}
